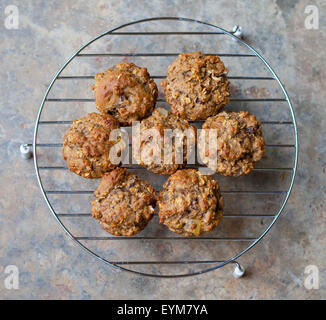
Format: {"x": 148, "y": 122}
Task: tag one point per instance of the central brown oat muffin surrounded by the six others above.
{"x": 165, "y": 142}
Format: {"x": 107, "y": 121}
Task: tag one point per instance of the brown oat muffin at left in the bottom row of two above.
{"x": 123, "y": 203}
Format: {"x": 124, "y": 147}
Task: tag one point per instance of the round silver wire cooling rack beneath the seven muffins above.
{"x": 252, "y": 203}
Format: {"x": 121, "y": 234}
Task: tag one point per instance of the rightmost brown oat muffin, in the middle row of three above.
{"x": 233, "y": 143}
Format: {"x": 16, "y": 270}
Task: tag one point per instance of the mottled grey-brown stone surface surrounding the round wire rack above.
{"x": 51, "y": 265}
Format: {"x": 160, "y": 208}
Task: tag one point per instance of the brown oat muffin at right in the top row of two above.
{"x": 196, "y": 86}
